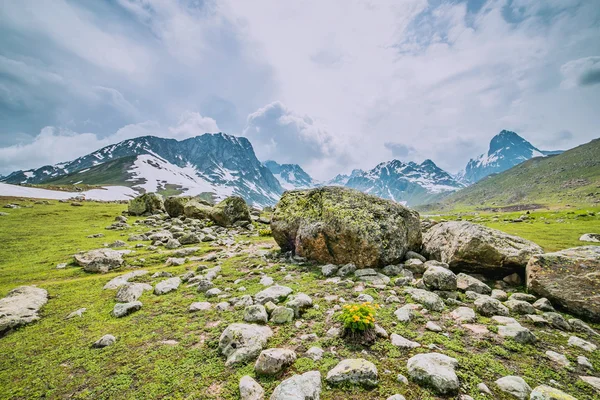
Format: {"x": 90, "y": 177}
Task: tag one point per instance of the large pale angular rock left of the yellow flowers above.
{"x": 241, "y": 343}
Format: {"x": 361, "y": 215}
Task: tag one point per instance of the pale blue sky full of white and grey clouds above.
{"x": 329, "y": 84}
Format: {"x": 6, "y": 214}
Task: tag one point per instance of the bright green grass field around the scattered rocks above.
{"x": 52, "y": 358}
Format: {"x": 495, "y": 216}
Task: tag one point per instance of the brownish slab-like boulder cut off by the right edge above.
{"x": 570, "y": 279}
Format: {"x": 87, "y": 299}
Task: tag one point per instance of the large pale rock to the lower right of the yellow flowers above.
{"x": 435, "y": 371}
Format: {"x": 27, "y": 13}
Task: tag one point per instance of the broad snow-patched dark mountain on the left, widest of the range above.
{"x": 216, "y": 164}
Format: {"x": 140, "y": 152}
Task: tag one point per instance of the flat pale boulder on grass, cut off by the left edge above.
{"x": 21, "y": 306}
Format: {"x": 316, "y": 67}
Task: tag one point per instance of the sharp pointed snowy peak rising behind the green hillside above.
{"x": 507, "y": 149}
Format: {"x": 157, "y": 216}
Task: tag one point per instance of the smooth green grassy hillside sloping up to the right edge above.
{"x": 572, "y": 177}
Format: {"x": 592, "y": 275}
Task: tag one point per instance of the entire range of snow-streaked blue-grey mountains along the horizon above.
{"x": 219, "y": 165}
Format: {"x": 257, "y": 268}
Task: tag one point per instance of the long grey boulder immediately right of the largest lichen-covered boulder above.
{"x": 475, "y": 248}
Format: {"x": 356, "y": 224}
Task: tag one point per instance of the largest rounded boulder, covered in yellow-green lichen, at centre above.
{"x": 336, "y": 225}
